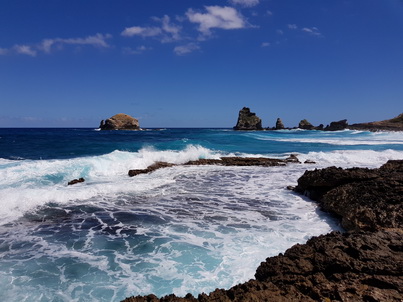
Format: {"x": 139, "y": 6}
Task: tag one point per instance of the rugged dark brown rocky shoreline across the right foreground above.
{"x": 363, "y": 264}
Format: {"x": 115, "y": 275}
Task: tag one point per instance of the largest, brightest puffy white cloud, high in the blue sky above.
{"x": 217, "y": 17}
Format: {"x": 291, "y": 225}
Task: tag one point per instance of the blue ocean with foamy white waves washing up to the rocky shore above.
{"x": 177, "y": 230}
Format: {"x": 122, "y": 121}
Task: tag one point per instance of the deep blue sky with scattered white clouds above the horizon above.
{"x": 188, "y": 63}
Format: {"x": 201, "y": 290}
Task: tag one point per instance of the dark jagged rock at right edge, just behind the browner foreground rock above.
{"x": 365, "y": 199}
